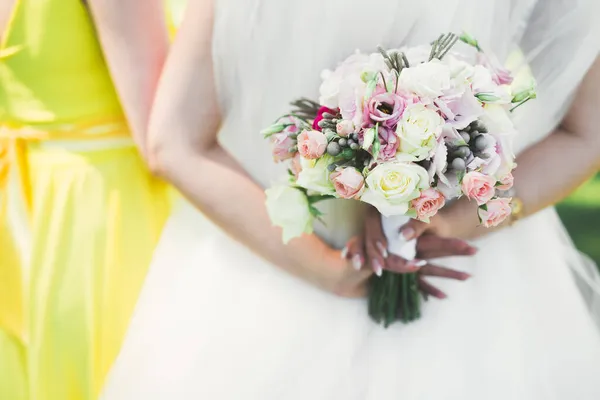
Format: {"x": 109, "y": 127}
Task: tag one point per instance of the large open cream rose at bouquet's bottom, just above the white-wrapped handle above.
{"x": 392, "y": 185}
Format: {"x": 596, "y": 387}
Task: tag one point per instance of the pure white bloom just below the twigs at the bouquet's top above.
{"x": 426, "y": 80}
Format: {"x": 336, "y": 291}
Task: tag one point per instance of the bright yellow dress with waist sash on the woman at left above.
{"x": 79, "y": 213}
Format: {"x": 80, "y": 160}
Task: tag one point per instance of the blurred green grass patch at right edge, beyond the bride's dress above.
{"x": 581, "y": 215}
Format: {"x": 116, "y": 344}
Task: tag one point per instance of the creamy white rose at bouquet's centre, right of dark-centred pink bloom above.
{"x": 418, "y": 131}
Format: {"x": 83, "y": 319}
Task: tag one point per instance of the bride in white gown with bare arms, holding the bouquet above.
{"x": 229, "y": 312}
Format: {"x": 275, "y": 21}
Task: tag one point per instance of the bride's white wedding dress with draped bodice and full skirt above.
{"x": 217, "y": 322}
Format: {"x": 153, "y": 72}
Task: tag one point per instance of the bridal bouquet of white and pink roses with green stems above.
{"x": 406, "y": 131}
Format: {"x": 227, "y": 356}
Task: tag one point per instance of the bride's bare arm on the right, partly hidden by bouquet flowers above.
{"x": 550, "y": 170}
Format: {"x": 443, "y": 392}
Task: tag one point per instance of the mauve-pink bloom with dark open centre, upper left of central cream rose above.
{"x": 384, "y": 108}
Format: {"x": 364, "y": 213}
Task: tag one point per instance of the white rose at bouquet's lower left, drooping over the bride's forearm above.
{"x": 288, "y": 208}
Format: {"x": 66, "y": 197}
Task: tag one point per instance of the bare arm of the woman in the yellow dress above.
{"x": 134, "y": 39}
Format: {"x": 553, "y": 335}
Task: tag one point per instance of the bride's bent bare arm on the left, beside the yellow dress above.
{"x": 183, "y": 148}
